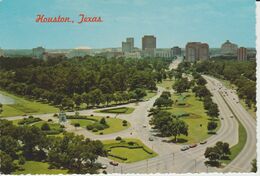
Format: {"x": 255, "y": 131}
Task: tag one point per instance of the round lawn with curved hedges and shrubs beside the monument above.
{"x": 115, "y": 124}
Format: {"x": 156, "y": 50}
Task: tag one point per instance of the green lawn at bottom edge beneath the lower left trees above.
{"x": 35, "y": 167}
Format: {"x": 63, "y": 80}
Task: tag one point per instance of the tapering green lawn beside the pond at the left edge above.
{"x": 23, "y": 106}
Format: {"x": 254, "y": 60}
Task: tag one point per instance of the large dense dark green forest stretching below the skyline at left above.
{"x": 92, "y": 80}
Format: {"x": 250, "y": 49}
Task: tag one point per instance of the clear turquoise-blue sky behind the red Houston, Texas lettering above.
{"x": 173, "y": 22}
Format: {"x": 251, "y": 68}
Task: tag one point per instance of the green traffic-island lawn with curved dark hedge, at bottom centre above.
{"x": 132, "y": 155}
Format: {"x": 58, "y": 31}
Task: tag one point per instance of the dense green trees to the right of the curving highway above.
{"x": 240, "y": 73}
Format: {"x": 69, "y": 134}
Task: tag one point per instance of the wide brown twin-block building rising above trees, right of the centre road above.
{"x": 196, "y": 51}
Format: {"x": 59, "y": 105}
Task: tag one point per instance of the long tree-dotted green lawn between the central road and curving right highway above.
{"x": 197, "y": 119}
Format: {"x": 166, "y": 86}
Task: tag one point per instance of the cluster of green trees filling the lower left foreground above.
{"x": 71, "y": 152}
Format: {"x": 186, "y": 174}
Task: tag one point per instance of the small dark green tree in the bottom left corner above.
{"x": 6, "y": 166}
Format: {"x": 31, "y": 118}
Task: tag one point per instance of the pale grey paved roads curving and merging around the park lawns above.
{"x": 170, "y": 158}
